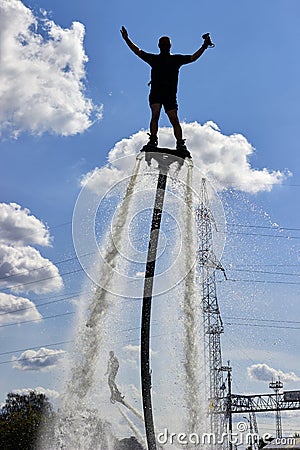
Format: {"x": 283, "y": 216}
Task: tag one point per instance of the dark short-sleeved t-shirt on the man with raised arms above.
{"x": 165, "y": 69}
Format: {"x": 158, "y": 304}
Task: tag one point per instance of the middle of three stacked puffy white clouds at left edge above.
{"x": 23, "y": 269}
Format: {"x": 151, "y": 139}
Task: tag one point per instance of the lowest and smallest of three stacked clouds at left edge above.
{"x": 17, "y": 309}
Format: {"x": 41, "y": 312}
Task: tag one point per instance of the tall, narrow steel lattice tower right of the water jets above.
{"x": 207, "y": 265}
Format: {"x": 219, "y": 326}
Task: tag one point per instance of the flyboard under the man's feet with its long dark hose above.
{"x": 164, "y": 157}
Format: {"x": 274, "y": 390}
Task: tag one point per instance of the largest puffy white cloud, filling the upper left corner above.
{"x": 42, "y": 75}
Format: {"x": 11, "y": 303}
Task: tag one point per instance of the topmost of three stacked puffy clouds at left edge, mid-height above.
{"x": 20, "y": 227}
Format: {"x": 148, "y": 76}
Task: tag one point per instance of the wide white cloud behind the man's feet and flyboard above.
{"x": 222, "y": 159}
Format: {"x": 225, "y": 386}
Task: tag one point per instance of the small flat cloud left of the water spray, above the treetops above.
{"x": 43, "y": 359}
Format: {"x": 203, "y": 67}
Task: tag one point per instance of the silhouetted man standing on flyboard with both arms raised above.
{"x": 164, "y": 81}
